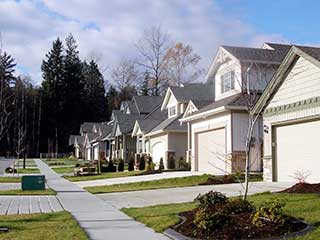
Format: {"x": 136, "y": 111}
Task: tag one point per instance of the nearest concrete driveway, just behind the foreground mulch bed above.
{"x": 183, "y": 194}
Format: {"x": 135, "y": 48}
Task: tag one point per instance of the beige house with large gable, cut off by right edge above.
{"x": 291, "y": 118}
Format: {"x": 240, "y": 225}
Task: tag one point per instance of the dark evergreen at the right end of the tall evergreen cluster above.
{"x": 95, "y": 108}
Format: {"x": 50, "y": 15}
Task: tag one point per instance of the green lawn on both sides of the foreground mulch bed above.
{"x": 303, "y": 206}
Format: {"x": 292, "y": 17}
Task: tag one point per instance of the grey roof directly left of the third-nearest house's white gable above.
{"x": 145, "y": 104}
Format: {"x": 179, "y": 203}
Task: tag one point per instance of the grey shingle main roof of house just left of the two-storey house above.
{"x": 195, "y": 91}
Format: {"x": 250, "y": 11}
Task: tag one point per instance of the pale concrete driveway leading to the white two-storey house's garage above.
{"x": 142, "y": 178}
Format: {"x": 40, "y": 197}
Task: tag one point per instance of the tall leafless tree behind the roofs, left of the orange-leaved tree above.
{"x": 152, "y": 49}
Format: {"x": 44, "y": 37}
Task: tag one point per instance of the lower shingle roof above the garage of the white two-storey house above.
{"x": 237, "y": 100}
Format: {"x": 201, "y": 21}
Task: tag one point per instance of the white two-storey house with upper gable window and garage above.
{"x": 217, "y": 131}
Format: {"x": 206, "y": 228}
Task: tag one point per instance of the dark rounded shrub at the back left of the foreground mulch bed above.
{"x": 208, "y": 200}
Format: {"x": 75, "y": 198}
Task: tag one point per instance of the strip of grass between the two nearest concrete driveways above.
{"x": 156, "y": 184}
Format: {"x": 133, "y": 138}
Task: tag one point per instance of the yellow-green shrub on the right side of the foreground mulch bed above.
{"x": 270, "y": 211}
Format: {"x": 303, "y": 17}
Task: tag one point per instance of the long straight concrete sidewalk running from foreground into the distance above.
{"x": 98, "y": 219}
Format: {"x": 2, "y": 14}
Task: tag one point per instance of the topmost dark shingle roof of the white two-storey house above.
{"x": 258, "y": 54}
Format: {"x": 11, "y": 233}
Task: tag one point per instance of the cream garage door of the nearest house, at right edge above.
{"x": 297, "y": 150}
